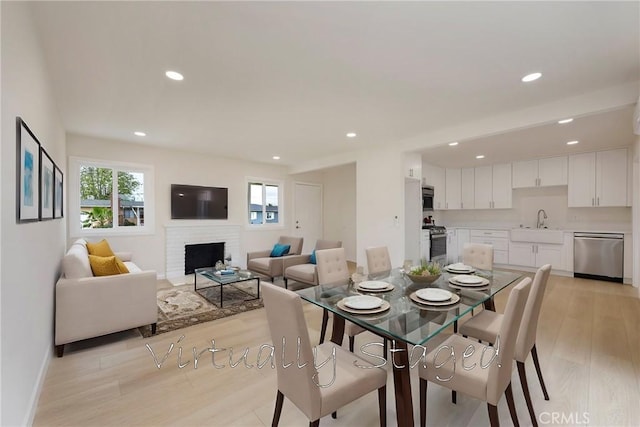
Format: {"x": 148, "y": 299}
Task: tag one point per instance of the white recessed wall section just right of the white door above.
{"x": 340, "y": 207}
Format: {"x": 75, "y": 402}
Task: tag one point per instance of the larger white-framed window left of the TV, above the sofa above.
{"x": 110, "y": 198}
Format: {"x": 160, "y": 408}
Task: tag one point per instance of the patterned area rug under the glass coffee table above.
{"x": 180, "y": 306}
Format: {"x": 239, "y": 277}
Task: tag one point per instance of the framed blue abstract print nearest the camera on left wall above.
{"x": 27, "y": 174}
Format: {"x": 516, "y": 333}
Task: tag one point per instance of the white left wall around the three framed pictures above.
{"x": 30, "y": 253}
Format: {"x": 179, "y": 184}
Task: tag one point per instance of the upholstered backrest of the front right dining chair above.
{"x": 500, "y": 369}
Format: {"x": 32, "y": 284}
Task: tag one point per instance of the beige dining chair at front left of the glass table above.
{"x": 306, "y": 386}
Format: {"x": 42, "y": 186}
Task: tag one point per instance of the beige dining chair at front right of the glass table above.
{"x": 484, "y": 378}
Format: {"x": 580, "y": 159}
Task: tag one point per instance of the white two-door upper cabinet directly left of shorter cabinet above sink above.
{"x": 492, "y": 187}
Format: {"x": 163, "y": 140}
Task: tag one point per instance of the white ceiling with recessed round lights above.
{"x": 292, "y": 78}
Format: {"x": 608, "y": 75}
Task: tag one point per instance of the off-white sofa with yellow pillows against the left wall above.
{"x": 88, "y": 306}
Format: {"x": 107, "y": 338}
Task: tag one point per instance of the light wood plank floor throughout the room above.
{"x": 588, "y": 343}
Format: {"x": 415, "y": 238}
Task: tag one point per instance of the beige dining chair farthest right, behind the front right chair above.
{"x": 486, "y": 326}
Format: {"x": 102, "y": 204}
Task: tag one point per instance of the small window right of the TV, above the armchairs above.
{"x": 265, "y": 199}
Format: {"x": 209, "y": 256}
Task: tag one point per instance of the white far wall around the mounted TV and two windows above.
{"x": 182, "y": 167}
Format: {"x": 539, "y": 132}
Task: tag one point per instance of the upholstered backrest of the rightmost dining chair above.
{"x": 529, "y": 326}
